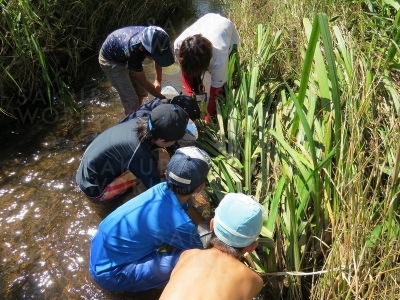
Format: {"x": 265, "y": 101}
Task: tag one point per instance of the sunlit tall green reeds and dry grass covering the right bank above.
{"x": 311, "y": 129}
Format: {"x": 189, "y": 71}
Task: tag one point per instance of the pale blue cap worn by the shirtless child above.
{"x": 238, "y": 220}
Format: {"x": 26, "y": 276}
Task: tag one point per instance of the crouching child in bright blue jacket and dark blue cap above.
{"x": 124, "y": 253}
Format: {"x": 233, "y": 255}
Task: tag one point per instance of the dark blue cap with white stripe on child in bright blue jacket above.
{"x": 188, "y": 168}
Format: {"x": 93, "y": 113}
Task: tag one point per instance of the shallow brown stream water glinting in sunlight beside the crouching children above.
{"x": 46, "y": 222}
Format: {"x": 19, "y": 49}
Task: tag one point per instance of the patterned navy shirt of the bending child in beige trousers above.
{"x": 122, "y": 45}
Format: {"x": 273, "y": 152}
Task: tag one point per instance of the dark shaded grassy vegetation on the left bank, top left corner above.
{"x": 43, "y": 43}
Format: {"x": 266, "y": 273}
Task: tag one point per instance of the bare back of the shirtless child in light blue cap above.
{"x": 214, "y": 274}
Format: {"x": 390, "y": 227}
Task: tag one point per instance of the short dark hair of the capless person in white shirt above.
{"x": 195, "y": 55}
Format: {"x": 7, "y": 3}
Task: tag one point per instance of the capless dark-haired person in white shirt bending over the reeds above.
{"x": 206, "y": 46}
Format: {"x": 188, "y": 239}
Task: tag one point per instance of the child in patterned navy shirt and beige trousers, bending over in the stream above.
{"x": 121, "y": 57}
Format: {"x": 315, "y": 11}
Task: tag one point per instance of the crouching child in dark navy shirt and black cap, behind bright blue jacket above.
{"x": 121, "y": 155}
